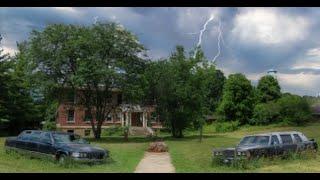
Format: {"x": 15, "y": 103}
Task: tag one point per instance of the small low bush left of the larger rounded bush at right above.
{"x": 265, "y": 113}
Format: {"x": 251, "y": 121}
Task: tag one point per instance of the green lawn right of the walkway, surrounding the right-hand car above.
{"x": 189, "y": 155}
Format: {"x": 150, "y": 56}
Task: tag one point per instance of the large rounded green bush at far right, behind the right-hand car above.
{"x": 294, "y": 109}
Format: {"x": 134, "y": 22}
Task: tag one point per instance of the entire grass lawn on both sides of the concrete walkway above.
{"x": 187, "y": 154}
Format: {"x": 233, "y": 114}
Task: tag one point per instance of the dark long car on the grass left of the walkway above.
{"x": 58, "y": 145}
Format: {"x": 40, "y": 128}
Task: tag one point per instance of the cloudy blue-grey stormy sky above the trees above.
{"x": 255, "y": 39}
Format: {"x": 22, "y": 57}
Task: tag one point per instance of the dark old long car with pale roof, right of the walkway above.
{"x": 270, "y": 144}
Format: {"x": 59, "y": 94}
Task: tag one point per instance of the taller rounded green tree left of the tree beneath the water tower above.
{"x": 237, "y": 100}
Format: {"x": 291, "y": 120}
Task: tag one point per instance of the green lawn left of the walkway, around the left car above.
{"x": 125, "y": 157}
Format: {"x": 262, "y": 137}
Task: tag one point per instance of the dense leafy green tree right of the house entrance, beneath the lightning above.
{"x": 185, "y": 90}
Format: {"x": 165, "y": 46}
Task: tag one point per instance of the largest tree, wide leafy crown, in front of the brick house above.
{"x": 94, "y": 59}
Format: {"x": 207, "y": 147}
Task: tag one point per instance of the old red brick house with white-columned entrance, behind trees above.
{"x": 75, "y": 118}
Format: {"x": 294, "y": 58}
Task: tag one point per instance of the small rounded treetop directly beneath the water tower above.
{"x": 268, "y": 89}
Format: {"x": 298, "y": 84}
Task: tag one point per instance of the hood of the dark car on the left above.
{"x": 75, "y": 147}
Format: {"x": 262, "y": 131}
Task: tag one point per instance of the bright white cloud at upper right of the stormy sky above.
{"x": 268, "y": 26}
